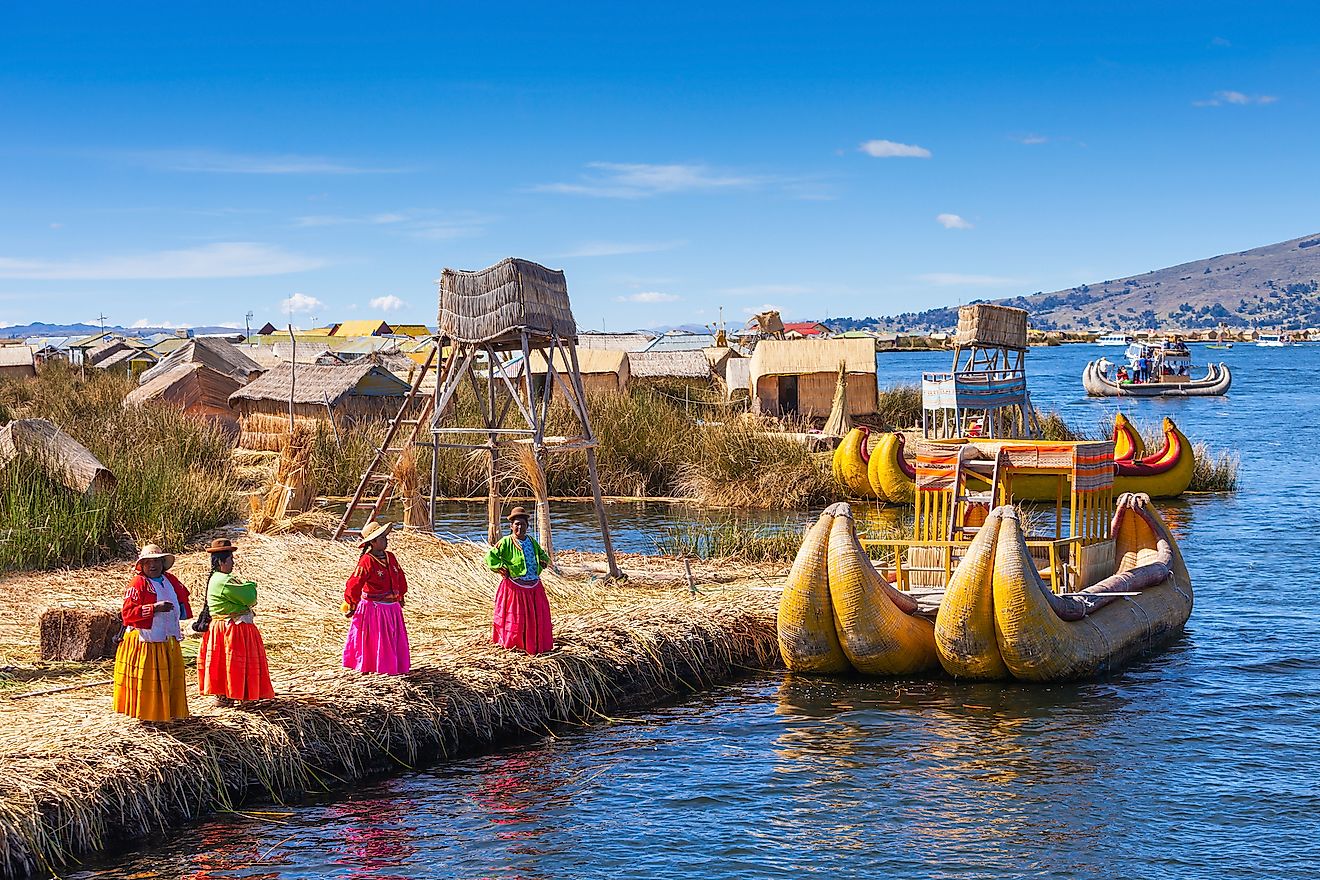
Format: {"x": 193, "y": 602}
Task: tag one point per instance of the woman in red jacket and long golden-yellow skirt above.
{"x": 150, "y": 679}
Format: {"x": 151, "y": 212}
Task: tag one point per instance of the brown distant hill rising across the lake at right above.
{"x": 1277, "y": 286}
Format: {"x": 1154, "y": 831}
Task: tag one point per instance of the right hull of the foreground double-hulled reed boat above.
{"x": 1013, "y": 630}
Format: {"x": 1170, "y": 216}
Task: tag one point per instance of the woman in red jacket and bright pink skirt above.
{"x": 374, "y": 600}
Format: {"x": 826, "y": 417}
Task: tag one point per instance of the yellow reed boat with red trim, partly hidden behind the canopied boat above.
{"x": 1165, "y": 474}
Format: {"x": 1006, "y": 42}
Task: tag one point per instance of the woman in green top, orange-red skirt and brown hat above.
{"x": 232, "y": 663}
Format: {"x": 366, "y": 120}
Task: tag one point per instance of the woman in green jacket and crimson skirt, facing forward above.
{"x": 522, "y": 610}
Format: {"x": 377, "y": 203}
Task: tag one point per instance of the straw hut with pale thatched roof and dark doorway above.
{"x": 798, "y": 378}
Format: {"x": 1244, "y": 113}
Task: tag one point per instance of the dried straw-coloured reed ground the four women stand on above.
{"x": 79, "y": 778}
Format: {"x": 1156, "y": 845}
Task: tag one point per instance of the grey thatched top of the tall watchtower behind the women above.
{"x": 498, "y": 303}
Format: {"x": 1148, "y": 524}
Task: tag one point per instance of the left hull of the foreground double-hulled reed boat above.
{"x": 839, "y": 614}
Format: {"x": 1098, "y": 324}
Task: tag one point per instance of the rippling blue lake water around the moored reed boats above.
{"x": 1198, "y": 763}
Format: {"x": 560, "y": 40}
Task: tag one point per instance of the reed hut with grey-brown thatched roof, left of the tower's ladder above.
{"x": 344, "y": 395}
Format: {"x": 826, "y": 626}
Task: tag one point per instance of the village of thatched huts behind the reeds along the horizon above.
{"x": 362, "y": 369}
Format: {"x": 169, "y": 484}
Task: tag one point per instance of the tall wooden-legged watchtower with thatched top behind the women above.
{"x": 488, "y": 320}
